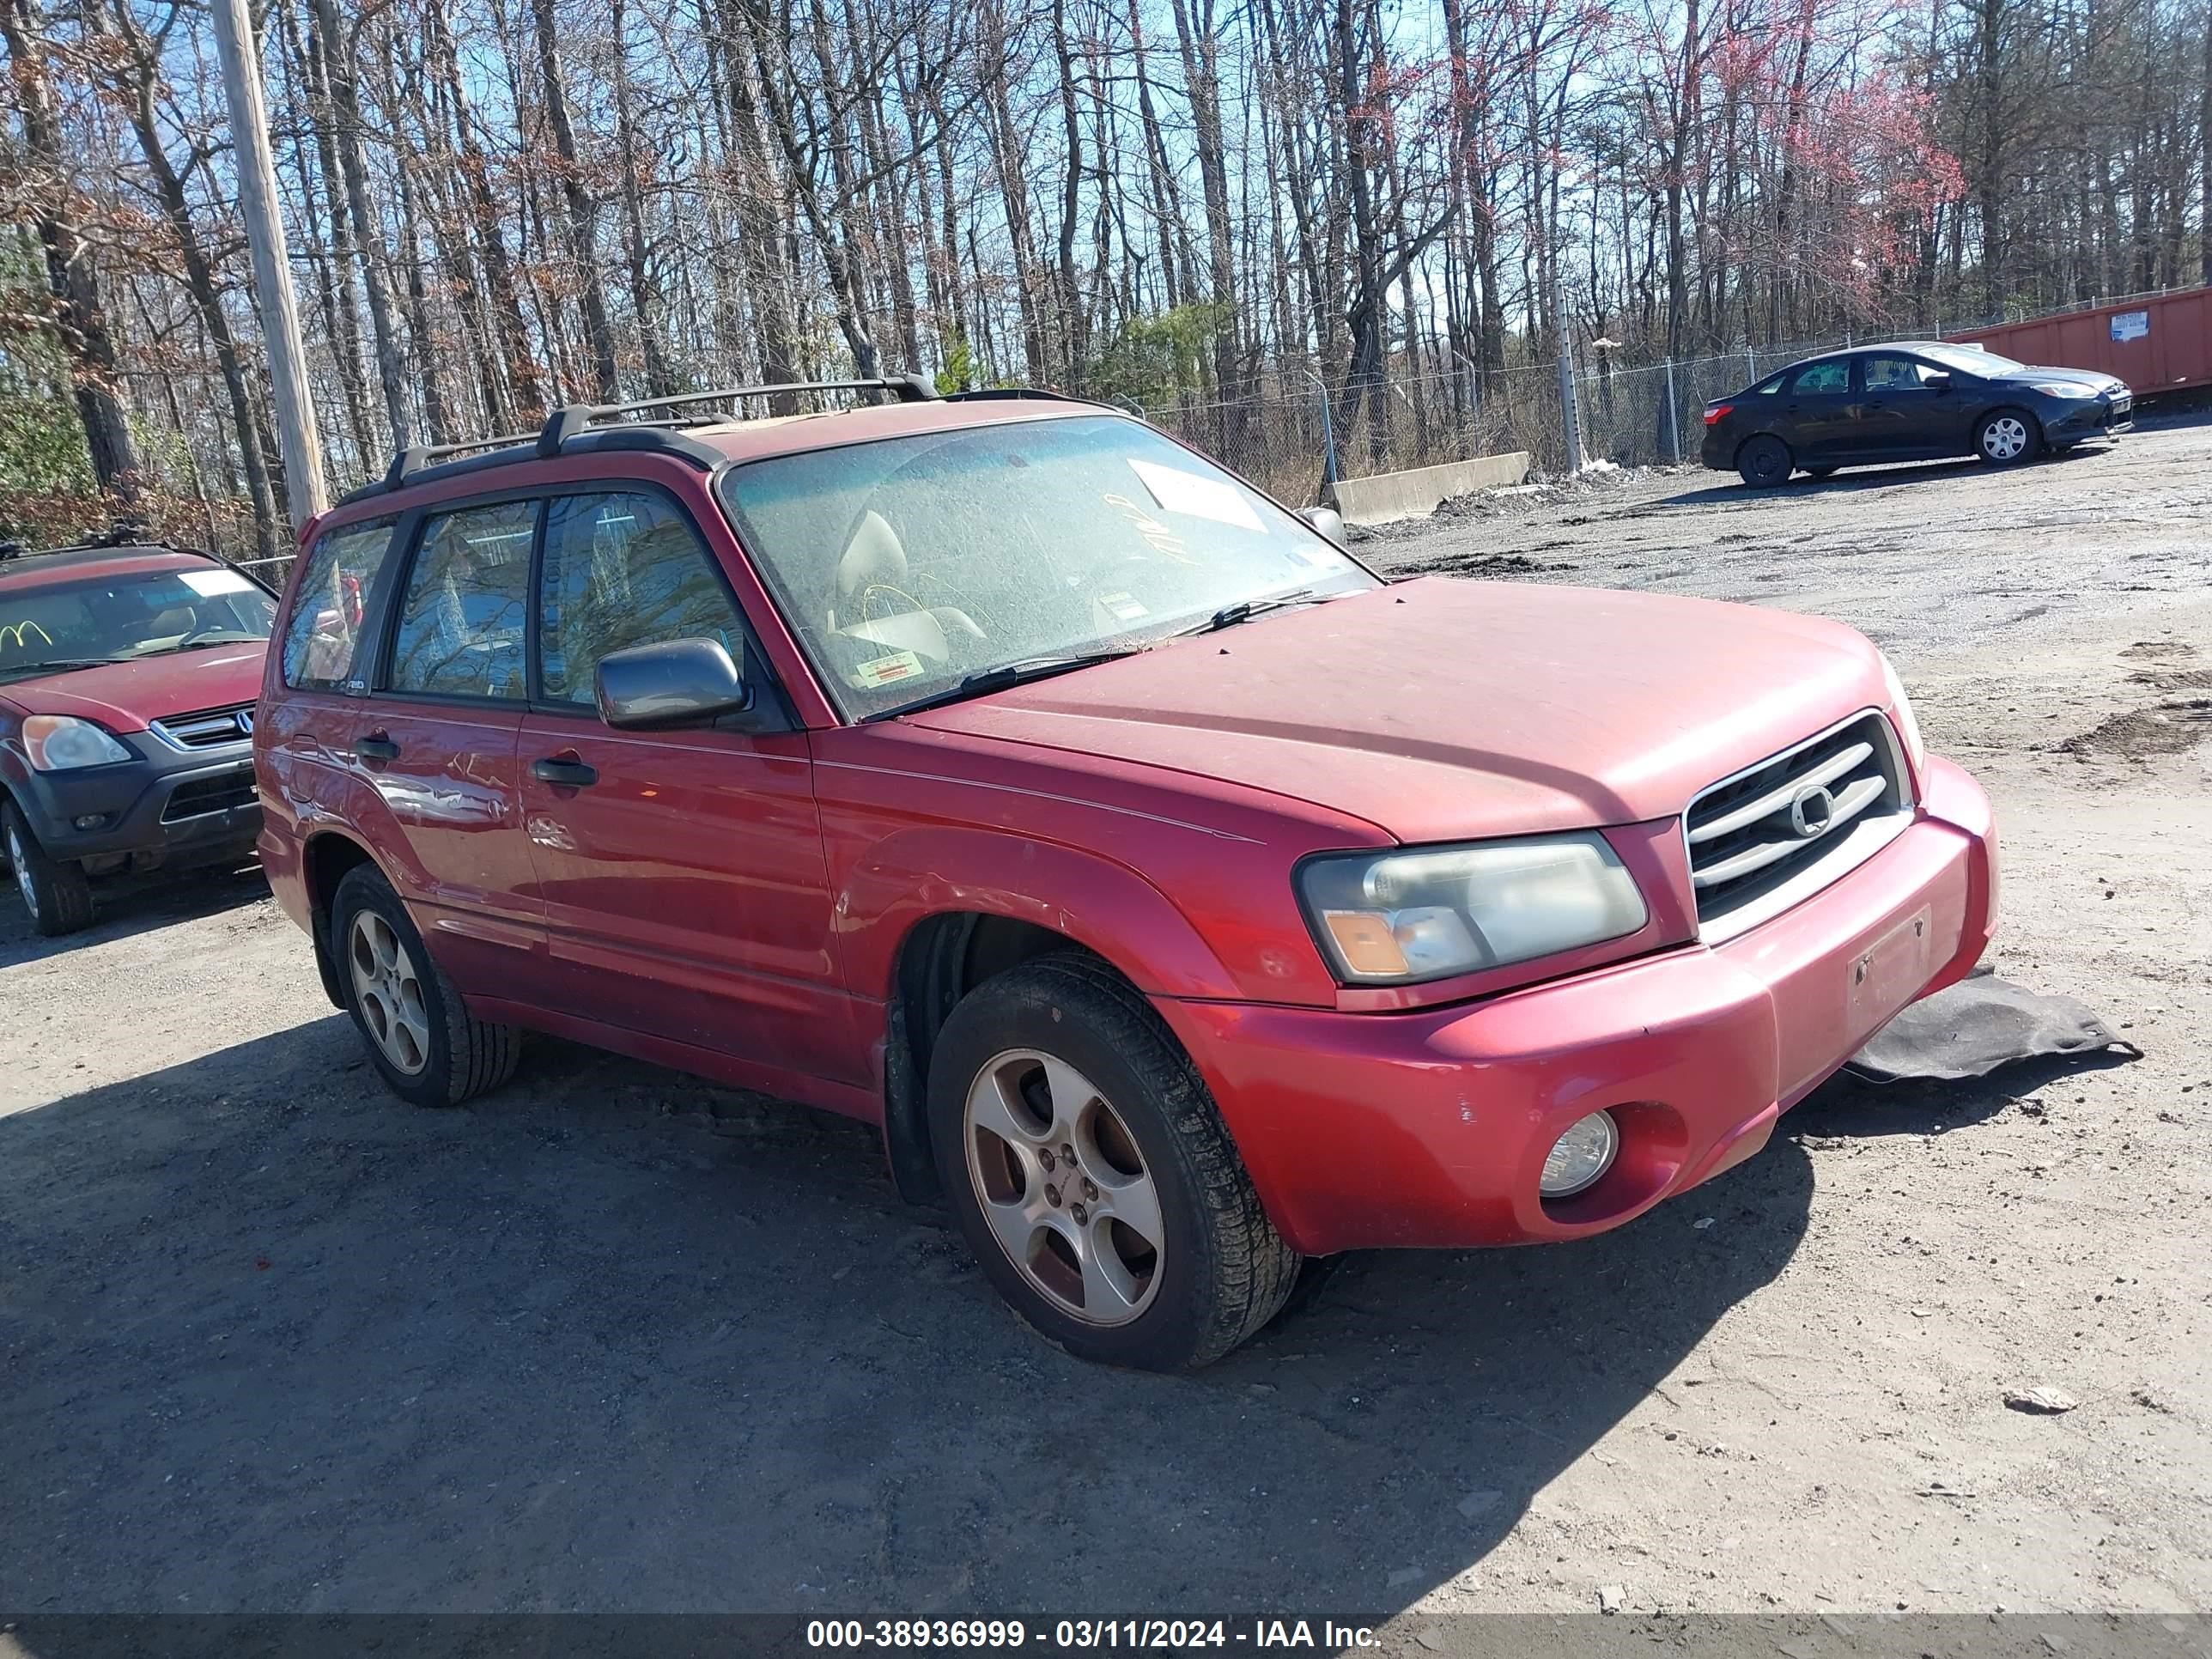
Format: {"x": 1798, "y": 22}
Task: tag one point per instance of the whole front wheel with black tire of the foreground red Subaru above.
{"x": 1092, "y": 1171}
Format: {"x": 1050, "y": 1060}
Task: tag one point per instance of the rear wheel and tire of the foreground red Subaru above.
{"x": 419, "y": 1034}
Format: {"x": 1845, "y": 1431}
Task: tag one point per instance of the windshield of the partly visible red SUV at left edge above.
{"x": 56, "y": 627}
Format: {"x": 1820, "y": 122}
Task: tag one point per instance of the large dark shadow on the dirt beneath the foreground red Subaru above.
{"x": 616, "y": 1339}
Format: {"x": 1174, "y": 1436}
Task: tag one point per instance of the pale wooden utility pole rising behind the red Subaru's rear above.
{"x": 273, "y": 271}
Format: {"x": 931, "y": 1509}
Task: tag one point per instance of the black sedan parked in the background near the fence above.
{"x": 1908, "y": 401}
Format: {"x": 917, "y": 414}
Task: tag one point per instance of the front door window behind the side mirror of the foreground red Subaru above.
{"x": 623, "y": 572}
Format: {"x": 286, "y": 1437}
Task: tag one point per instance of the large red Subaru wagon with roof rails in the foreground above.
{"x": 1180, "y": 897}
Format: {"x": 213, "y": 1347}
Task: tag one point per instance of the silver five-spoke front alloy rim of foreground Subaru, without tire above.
{"x": 1063, "y": 1187}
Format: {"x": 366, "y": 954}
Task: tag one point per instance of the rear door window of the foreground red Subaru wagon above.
{"x": 463, "y": 616}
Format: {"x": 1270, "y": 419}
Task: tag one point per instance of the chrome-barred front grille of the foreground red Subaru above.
{"x": 1788, "y": 817}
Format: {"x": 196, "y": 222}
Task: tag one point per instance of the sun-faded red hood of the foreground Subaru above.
{"x": 1446, "y": 709}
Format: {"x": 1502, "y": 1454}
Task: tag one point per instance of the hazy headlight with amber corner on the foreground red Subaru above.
{"x": 1428, "y": 915}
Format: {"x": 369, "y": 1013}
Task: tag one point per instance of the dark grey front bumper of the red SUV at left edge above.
{"x": 154, "y": 808}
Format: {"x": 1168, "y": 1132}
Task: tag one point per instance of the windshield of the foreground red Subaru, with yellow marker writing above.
{"x": 910, "y": 565}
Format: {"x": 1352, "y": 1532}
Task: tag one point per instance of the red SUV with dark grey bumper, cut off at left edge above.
{"x": 127, "y": 693}
